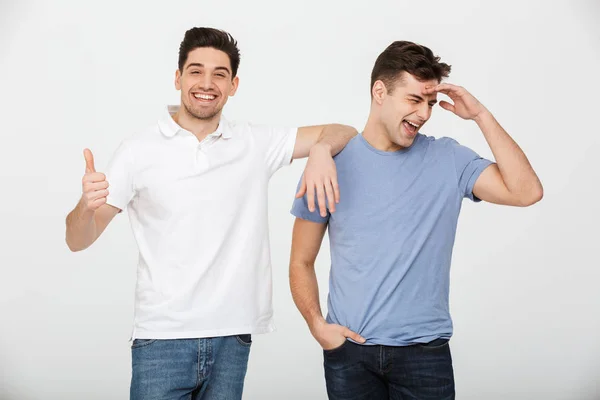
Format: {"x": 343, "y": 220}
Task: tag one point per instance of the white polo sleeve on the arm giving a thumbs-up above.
{"x": 119, "y": 174}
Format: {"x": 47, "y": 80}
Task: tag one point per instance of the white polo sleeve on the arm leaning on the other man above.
{"x": 278, "y": 142}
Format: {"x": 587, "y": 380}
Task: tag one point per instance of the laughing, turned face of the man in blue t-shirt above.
{"x": 404, "y": 109}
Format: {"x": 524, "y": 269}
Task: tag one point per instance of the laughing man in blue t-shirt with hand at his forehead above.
{"x": 388, "y": 324}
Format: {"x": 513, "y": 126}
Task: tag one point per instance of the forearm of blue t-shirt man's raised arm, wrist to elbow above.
{"x": 518, "y": 175}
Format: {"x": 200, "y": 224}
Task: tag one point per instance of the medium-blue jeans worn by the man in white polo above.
{"x": 189, "y": 369}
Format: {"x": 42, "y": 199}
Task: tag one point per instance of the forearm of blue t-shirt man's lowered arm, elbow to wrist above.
{"x": 305, "y": 292}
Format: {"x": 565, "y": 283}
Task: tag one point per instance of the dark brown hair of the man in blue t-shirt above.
{"x": 403, "y": 56}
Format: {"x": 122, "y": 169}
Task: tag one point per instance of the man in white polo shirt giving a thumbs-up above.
{"x": 195, "y": 186}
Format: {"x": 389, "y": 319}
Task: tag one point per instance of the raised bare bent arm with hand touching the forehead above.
{"x": 511, "y": 180}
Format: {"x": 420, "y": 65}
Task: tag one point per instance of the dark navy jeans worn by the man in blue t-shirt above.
{"x": 422, "y": 371}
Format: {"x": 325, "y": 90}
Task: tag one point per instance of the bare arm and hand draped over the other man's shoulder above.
{"x": 320, "y": 143}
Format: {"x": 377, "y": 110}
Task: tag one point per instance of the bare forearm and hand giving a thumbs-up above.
{"x": 91, "y": 215}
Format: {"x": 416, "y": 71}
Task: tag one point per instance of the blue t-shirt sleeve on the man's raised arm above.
{"x": 469, "y": 165}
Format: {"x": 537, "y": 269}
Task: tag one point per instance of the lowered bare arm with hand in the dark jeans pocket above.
{"x": 306, "y": 242}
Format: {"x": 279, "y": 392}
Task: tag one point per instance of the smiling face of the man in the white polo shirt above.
{"x": 206, "y": 81}
